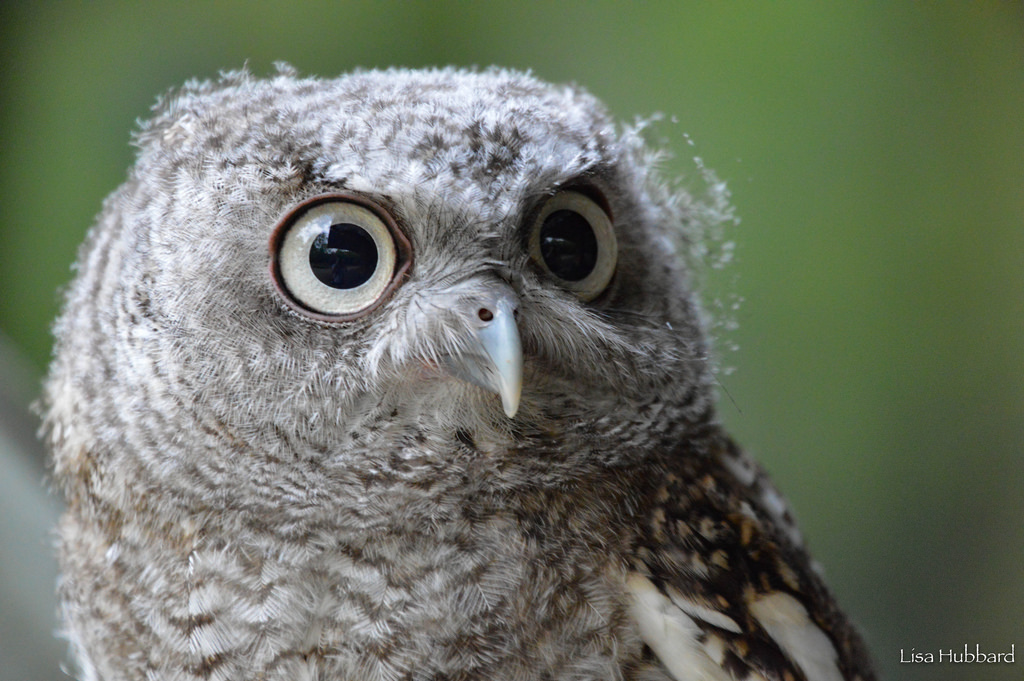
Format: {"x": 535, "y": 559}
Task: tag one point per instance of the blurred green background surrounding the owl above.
{"x": 876, "y": 157}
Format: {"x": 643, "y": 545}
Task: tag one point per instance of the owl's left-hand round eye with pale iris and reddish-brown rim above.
{"x": 336, "y": 258}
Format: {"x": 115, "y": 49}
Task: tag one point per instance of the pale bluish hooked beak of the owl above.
{"x": 493, "y": 358}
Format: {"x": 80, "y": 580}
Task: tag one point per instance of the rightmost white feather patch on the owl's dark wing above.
{"x": 802, "y": 642}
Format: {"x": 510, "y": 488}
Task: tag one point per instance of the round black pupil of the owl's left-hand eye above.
{"x": 344, "y": 258}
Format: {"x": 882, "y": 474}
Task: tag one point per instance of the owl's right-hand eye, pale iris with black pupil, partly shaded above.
{"x": 574, "y": 241}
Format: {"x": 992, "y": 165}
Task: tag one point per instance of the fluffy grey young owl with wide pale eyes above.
{"x": 402, "y": 376}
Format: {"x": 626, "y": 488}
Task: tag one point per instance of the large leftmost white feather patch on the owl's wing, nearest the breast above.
{"x": 672, "y": 634}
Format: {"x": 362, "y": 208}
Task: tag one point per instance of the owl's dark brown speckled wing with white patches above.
{"x": 722, "y": 588}
